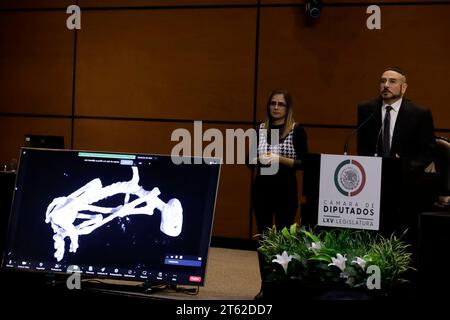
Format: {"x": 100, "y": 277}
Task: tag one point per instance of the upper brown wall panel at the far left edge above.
{"x": 36, "y": 63}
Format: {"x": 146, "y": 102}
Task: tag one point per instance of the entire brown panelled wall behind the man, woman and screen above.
{"x": 138, "y": 69}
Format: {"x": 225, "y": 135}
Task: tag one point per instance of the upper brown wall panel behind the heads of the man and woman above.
{"x": 335, "y": 63}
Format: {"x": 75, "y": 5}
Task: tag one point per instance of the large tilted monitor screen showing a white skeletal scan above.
{"x": 113, "y": 215}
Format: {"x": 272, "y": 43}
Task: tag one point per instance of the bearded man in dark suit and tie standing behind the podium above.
{"x": 407, "y": 132}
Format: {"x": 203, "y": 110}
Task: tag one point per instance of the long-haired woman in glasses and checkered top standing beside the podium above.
{"x": 276, "y": 195}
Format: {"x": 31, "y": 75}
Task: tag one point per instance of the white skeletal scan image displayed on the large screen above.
{"x": 63, "y": 212}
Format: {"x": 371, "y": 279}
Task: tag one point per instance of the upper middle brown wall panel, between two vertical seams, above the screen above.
{"x": 186, "y": 64}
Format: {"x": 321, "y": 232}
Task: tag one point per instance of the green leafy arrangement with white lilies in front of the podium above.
{"x": 341, "y": 257}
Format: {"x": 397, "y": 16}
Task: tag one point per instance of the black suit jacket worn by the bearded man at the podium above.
{"x": 413, "y": 132}
